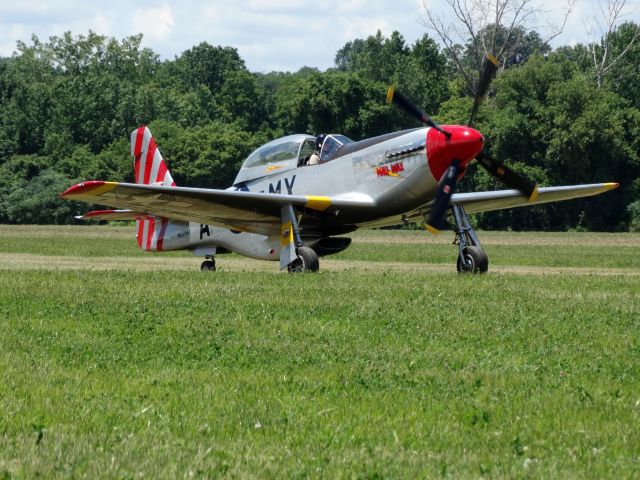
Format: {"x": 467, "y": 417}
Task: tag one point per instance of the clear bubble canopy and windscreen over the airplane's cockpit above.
{"x": 287, "y": 153}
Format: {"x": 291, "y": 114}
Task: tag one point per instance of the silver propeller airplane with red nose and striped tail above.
{"x": 281, "y": 208}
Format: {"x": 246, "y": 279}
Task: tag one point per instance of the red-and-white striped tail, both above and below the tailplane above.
{"x": 149, "y": 169}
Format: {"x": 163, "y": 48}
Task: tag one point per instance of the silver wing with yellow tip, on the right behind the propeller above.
{"x": 485, "y": 201}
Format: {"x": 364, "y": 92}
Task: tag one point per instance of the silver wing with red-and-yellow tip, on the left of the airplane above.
{"x": 235, "y": 210}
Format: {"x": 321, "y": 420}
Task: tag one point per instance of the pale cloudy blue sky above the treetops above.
{"x": 280, "y": 35}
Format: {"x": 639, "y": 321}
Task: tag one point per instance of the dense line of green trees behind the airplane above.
{"x": 68, "y": 105}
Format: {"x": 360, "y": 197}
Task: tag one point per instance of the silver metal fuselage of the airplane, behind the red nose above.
{"x": 394, "y": 173}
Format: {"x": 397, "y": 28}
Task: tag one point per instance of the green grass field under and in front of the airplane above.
{"x": 386, "y": 364}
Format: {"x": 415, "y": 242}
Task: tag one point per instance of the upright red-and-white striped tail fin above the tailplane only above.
{"x": 149, "y": 166}
